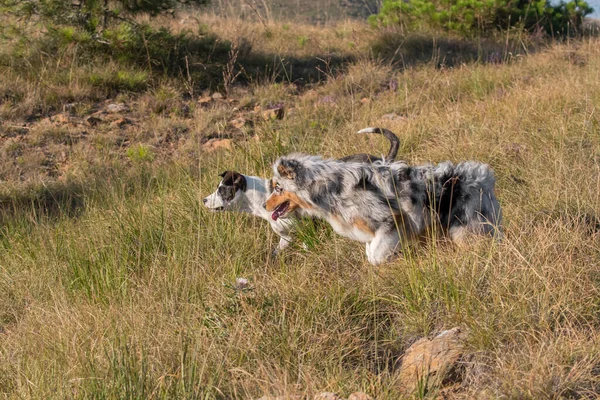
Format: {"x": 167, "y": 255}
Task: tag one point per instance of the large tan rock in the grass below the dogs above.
{"x": 430, "y": 361}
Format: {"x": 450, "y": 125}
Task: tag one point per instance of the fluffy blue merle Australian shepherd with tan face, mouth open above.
{"x": 381, "y": 204}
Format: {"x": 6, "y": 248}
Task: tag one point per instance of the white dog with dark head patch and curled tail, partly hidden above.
{"x": 244, "y": 193}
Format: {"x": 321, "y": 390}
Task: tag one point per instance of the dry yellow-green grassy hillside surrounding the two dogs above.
{"x": 115, "y": 282}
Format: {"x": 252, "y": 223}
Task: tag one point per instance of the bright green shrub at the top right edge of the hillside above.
{"x": 471, "y": 17}
